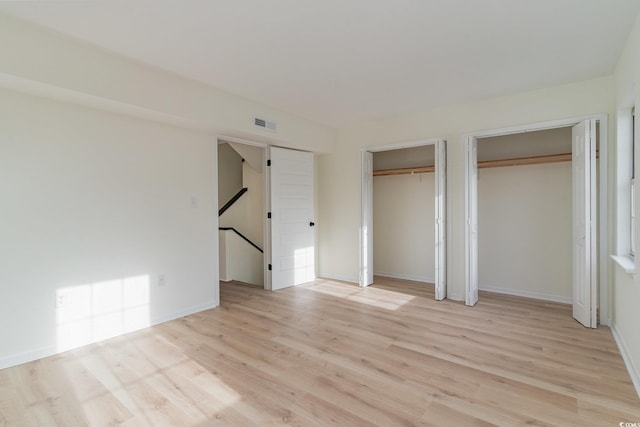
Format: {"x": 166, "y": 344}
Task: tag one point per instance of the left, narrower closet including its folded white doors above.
{"x": 403, "y": 214}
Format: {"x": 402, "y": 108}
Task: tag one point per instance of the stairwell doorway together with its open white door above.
{"x": 266, "y": 216}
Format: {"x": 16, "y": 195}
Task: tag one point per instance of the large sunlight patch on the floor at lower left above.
{"x": 190, "y": 391}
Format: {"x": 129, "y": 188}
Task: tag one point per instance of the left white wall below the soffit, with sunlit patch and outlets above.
{"x": 91, "y": 200}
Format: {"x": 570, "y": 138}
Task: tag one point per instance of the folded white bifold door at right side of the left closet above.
{"x": 440, "y": 206}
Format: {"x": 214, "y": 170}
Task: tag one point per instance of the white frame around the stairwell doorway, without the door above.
{"x": 266, "y": 192}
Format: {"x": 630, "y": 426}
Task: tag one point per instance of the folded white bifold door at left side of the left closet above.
{"x": 366, "y": 222}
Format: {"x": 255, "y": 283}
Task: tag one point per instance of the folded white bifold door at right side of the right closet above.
{"x": 584, "y": 223}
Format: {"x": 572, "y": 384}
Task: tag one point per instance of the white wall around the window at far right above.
{"x": 626, "y": 287}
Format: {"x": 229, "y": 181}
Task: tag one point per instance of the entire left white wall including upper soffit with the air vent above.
{"x": 108, "y": 176}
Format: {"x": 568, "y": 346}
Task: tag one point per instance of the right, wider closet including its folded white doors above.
{"x": 523, "y": 236}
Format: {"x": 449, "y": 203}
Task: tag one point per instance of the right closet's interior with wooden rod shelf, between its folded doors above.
{"x": 525, "y": 214}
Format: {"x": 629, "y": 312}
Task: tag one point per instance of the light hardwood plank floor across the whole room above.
{"x": 330, "y": 353}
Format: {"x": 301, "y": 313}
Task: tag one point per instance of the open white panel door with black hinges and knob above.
{"x": 292, "y": 218}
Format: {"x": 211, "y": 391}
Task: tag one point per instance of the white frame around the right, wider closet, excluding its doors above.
{"x": 603, "y": 266}
